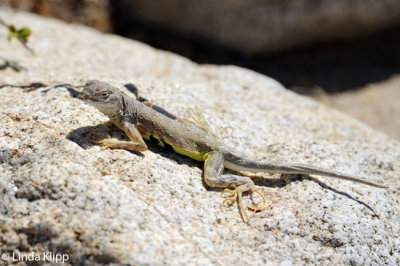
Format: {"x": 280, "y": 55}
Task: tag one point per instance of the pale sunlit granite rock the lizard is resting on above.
{"x": 61, "y": 193}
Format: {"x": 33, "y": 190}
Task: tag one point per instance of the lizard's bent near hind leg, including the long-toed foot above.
{"x": 213, "y": 168}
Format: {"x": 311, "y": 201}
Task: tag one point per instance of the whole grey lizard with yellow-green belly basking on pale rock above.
{"x": 140, "y": 121}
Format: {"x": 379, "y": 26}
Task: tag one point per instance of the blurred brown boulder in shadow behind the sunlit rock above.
{"x": 261, "y": 26}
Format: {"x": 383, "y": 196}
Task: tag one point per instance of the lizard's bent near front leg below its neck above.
{"x": 136, "y": 142}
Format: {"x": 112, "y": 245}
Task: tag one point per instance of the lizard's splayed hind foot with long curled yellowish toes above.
{"x": 236, "y": 196}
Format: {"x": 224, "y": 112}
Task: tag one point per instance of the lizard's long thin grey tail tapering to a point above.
{"x": 240, "y": 164}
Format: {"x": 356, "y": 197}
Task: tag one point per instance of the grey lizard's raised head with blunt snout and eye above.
{"x": 103, "y": 96}
